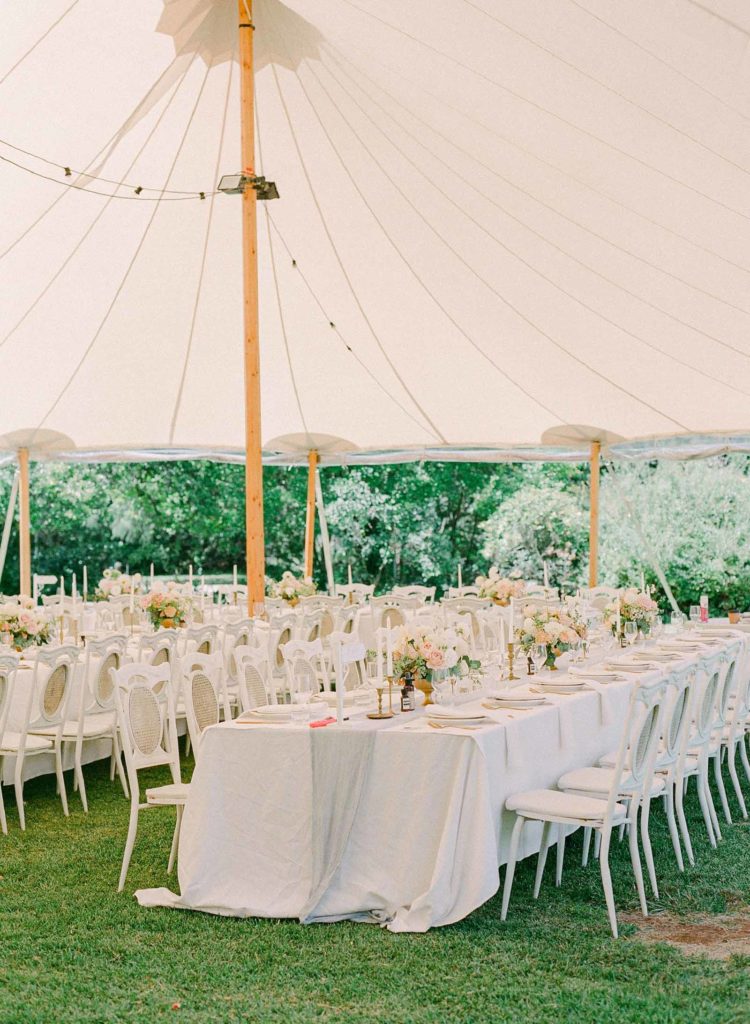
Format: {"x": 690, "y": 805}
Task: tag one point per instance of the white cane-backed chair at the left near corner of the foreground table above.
{"x": 148, "y": 729}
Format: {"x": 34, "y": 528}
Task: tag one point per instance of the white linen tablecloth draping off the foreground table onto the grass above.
{"x": 392, "y": 823}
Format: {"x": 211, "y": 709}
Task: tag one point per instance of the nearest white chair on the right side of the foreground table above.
{"x": 565, "y": 807}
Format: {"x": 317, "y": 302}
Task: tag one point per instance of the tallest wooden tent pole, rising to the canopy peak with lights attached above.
{"x": 255, "y": 544}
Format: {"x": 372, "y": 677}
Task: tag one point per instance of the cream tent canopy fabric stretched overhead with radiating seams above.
{"x": 496, "y": 220}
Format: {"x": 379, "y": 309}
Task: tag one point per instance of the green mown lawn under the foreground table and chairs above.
{"x": 74, "y": 950}
